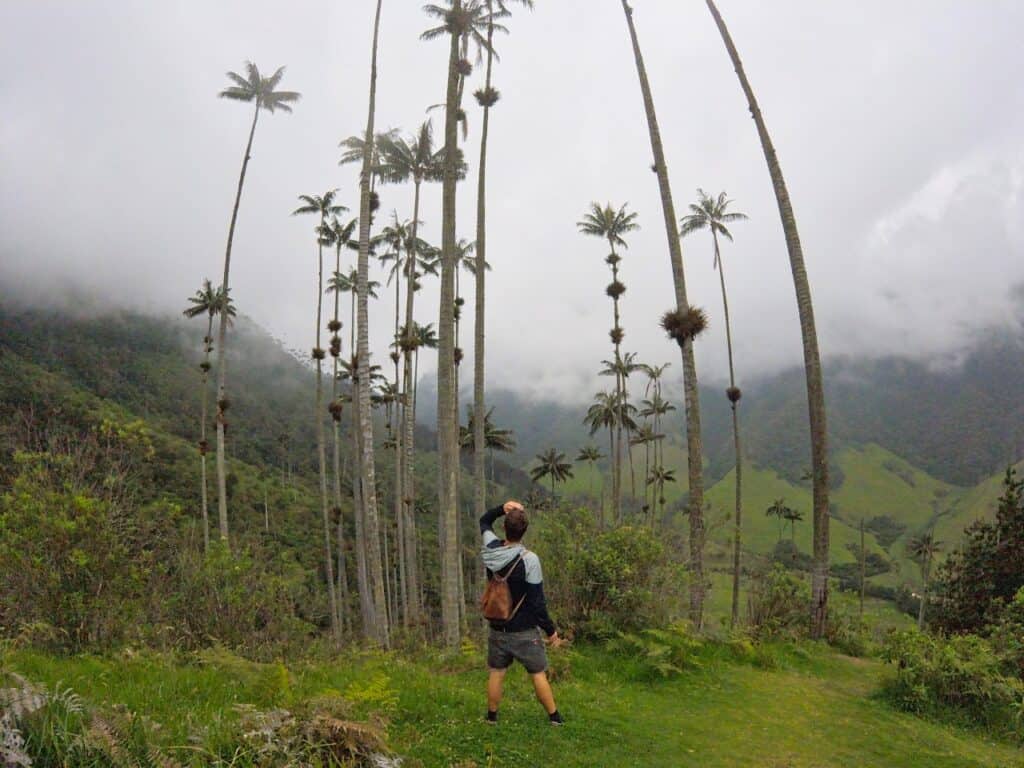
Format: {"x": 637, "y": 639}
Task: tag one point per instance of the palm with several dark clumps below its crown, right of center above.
{"x": 611, "y": 225}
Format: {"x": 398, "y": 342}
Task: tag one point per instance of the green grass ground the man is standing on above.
{"x": 810, "y": 709}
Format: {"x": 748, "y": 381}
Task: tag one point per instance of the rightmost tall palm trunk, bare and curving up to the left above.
{"x": 813, "y": 359}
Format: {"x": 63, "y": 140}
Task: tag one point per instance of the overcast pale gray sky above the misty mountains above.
{"x": 901, "y": 129}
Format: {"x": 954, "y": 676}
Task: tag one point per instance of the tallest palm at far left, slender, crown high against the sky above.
{"x": 264, "y": 94}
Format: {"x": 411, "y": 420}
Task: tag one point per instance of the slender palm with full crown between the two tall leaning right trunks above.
{"x": 713, "y": 215}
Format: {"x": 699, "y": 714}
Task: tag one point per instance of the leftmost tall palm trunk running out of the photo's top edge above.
{"x": 379, "y": 632}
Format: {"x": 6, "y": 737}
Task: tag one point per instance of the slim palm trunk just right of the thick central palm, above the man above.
{"x": 480, "y": 407}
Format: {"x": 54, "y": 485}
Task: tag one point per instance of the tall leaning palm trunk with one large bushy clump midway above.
{"x": 693, "y": 401}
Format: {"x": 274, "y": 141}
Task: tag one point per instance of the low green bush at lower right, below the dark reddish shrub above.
{"x": 965, "y": 673}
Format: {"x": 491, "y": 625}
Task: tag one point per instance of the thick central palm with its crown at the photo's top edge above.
{"x": 459, "y": 24}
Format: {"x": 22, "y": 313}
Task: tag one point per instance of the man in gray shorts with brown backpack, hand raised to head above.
{"x": 520, "y": 637}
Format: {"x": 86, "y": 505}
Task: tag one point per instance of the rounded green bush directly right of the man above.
{"x": 609, "y": 582}
